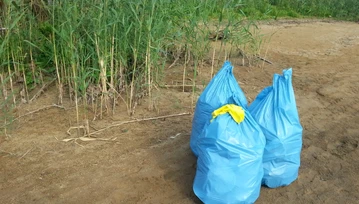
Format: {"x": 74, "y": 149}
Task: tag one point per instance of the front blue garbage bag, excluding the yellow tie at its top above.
{"x": 229, "y": 164}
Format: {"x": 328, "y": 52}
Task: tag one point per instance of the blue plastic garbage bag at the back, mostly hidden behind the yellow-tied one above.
{"x": 221, "y": 90}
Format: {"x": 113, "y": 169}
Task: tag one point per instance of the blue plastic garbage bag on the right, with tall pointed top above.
{"x": 275, "y": 111}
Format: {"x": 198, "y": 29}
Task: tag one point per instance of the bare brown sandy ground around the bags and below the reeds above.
{"x": 150, "y": 161}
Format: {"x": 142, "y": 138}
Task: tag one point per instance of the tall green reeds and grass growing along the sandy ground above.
{"x": 106, "y": 52}
